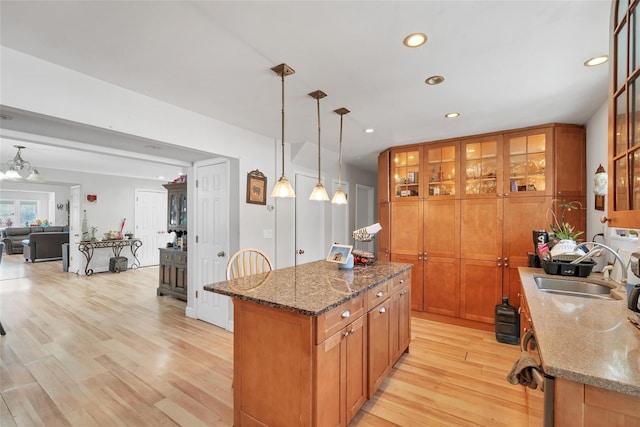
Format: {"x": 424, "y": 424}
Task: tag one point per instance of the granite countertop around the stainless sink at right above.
{"x": 582, "y": 339}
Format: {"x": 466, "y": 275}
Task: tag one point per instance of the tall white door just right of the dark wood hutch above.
{"x": 212, "y": 234}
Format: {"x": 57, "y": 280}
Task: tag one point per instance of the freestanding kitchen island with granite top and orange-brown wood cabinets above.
{"x": 313, "y": 342}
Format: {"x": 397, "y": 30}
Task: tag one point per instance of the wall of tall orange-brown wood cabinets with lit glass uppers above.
{"x": 462, "y": 211}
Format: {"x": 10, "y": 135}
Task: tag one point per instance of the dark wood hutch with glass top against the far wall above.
{"x": 172, "y": 278}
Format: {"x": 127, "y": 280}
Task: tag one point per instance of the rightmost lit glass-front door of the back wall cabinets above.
{"x": 526, "y": 162}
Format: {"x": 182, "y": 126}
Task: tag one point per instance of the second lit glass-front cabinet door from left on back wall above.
{"x": 440, "y": 169}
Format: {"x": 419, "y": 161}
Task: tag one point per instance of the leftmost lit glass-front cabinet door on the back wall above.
{"x": 406, "y": 173}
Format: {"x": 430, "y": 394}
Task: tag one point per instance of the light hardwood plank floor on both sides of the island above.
{"x": 105, "y": 350}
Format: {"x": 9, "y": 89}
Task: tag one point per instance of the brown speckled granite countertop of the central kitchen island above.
{"x": 310, "y": 289}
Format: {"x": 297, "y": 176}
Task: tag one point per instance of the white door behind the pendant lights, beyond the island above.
{"x": 310, "y": 244}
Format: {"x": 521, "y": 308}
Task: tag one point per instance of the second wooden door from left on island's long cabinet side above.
{"x": 355, "y": 354}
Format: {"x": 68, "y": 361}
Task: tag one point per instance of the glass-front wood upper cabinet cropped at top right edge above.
{"x": 624, "y": 122}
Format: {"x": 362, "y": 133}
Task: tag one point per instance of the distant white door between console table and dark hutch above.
{"x": 151, "y": 224}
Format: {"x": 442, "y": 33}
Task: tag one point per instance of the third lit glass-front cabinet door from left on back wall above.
{"x": 480, "y": 165}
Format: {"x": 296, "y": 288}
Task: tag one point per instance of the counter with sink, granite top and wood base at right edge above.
{"x": 591, "y": 349}
